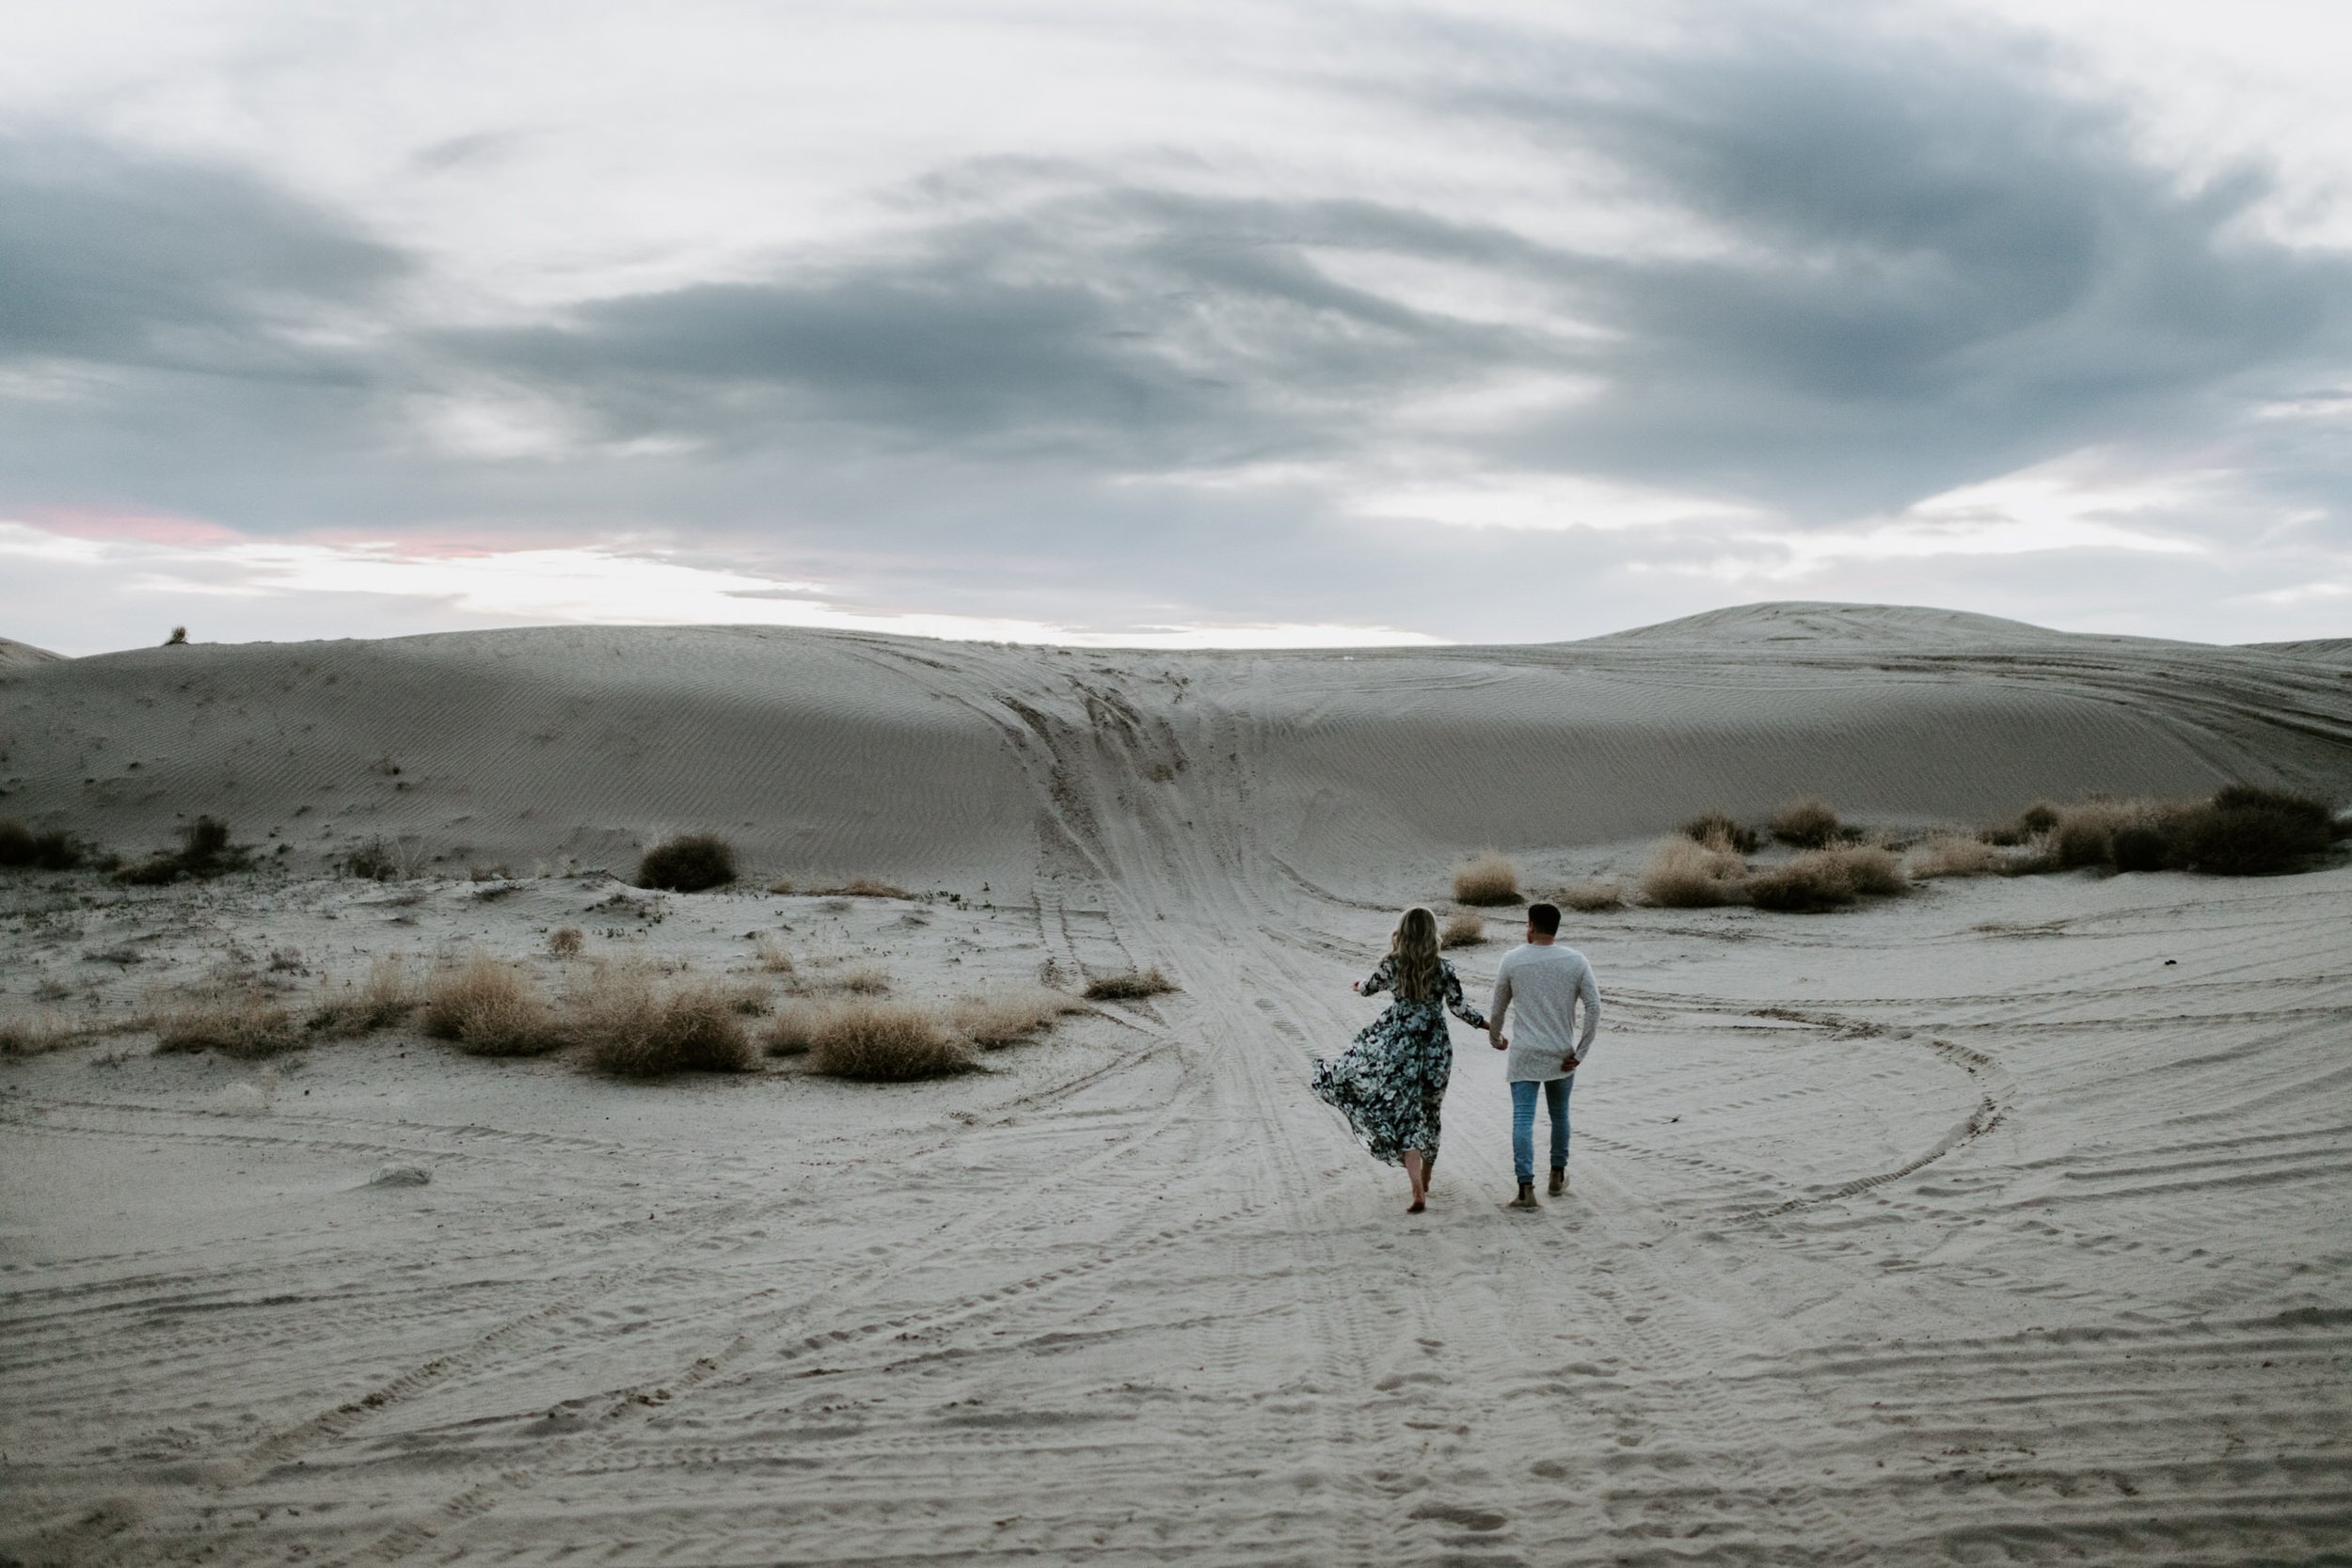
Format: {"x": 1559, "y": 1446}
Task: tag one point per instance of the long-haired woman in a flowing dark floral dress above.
{"x": 1394, "y": 1078}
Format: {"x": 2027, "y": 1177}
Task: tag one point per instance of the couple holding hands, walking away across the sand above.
{"x": 1391, "y": 1083}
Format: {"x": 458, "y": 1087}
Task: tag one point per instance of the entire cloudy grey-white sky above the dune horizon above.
{"x": 1170, "y": 323}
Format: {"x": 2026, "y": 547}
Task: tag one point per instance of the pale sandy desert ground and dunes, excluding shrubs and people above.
{"x": 2003, "y": 1221}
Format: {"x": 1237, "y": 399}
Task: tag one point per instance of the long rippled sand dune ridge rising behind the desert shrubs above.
{"x": 956, "y": 763}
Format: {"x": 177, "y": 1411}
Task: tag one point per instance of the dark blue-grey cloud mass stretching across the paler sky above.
{"x": 1909, "y": 267}
